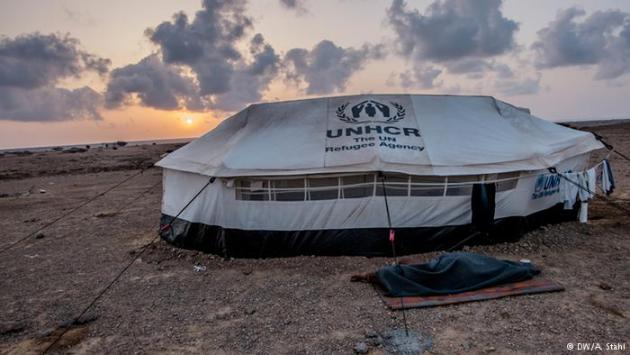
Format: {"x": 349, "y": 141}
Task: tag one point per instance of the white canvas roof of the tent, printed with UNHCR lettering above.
{"x": 413, "y": 134}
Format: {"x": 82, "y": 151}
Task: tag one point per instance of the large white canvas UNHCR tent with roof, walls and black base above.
{"x": 302, "y": 177}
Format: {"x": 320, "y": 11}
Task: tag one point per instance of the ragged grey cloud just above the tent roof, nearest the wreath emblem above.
{"x": 326, "y": 68}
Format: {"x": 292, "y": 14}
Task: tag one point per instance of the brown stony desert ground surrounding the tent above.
{"x": 292, "y": 305}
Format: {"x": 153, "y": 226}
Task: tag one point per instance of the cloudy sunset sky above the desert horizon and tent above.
{"x": 79, "y": 72}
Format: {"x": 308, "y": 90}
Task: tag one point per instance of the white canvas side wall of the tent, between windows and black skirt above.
{"x": 218, "y": 206}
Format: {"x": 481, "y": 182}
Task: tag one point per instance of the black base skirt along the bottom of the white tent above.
{"x": 239, "y": 243}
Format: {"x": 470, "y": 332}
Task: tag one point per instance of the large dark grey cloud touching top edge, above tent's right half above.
{"x": 452, "y": 30}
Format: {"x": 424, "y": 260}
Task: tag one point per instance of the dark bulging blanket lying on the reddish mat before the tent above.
{"x": 451, "y": 273}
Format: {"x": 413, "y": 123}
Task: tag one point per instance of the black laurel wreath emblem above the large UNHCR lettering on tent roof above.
{"x": 371, "y": 111}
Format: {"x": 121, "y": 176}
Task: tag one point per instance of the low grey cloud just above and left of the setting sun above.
{"x": 156, "y": 84}
